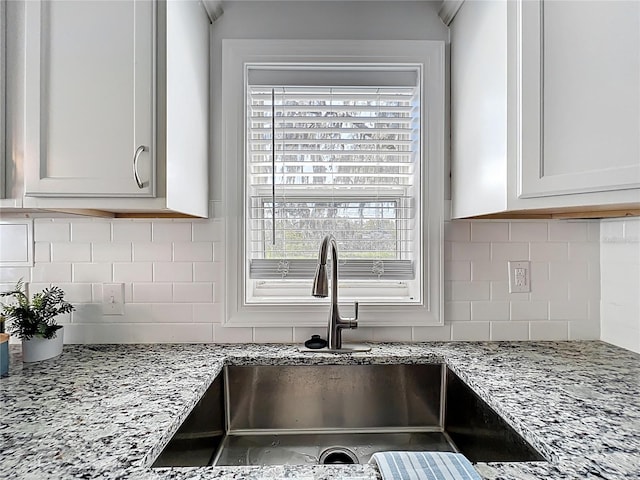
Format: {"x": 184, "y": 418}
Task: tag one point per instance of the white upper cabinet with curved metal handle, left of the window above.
{"x": 116, "y": 106}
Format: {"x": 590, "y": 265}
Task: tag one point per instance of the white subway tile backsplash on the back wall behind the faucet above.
{"x": 173, "y": 272}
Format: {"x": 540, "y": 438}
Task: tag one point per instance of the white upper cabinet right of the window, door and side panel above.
{"x": 545, "y": 107}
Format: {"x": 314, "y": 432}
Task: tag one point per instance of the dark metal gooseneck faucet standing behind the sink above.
{"x": 320, "y": 289}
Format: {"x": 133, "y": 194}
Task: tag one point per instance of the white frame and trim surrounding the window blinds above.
{"x": 238, "y": 53}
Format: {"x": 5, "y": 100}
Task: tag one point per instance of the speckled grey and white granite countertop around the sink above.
{"x": 106, "y": 411}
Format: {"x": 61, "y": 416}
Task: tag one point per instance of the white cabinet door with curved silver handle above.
{"x": 89, "y": 103}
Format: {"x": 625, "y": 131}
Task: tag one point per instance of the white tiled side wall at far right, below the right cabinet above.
{"x": 620, "y": 282}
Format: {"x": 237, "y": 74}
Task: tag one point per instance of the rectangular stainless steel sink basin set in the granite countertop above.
{"x": 326, "y": 414}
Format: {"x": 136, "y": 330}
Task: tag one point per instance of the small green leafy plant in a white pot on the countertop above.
{"x": 34, "y": 321}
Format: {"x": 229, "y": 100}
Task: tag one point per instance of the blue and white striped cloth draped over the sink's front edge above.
{"x": 424, "y": 466}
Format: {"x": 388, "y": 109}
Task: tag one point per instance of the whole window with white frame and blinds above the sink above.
{"x": 335, "y": 138}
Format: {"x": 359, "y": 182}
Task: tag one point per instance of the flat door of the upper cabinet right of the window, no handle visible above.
{"x": 580, "y": 74}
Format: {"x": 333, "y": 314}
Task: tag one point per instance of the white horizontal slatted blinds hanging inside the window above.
{"x": 333, "y": 159}
